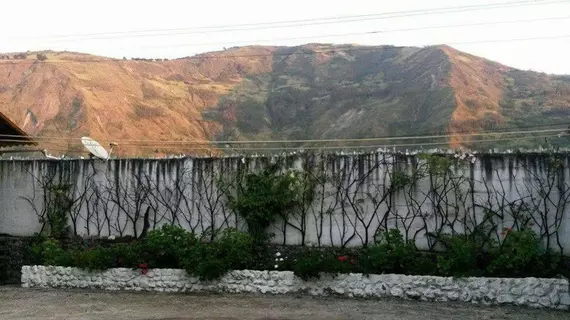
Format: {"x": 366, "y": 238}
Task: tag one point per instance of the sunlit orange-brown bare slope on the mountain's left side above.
{"x": 72, "y": 95}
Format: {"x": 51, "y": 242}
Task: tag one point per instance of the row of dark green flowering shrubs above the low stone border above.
{"x": 519, "y": 255}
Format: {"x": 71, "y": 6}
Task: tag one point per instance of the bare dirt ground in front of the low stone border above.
{"x": 33, "y": 304}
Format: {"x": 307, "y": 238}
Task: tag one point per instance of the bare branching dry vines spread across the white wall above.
{"x": 332, "y": 200}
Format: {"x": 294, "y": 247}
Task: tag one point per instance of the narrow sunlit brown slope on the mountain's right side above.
{"x": 478, "y": 85}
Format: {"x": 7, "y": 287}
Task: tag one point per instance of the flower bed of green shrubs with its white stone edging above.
{"x": 172, "y": 259}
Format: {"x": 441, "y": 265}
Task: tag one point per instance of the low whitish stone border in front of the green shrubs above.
{"x": 531, "y": 292}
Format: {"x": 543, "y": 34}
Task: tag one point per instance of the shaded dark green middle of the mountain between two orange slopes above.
{"x": 354, "y": 94}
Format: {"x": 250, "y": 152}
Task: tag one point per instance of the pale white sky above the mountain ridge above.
{"x": 530, "y": 35}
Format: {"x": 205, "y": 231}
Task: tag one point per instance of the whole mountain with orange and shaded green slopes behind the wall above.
{"x": 314, "y": 91}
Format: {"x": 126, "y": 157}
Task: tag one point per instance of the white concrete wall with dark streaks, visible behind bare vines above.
{"x": 182, "y": 191}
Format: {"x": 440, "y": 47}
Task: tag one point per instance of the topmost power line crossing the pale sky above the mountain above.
{"x": 306, "y": 22}
